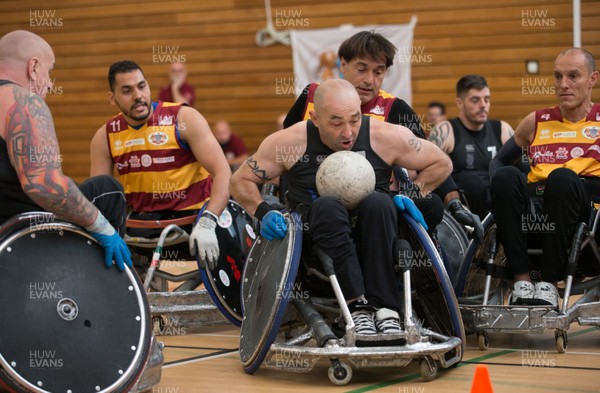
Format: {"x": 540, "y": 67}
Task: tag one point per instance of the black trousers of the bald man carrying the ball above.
{"x": 360, "y": 245}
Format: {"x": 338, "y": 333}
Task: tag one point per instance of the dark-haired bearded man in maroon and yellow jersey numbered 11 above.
{"x": 166, "y": 156}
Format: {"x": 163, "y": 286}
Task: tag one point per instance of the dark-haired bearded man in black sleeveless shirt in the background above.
{"x": 472, "y": 140}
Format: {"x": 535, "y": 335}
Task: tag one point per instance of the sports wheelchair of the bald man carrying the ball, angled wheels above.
{"x": 276, "y": 336}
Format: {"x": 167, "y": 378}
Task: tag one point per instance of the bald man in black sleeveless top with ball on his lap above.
{"x": 361, "y": 252}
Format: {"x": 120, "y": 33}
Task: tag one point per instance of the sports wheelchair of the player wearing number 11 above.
{"x": 187, "y": 308}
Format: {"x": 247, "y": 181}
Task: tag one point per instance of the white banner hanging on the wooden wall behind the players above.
{"x": 315, "y": 55}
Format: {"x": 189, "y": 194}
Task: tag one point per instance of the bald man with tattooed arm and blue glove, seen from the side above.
{"x": 31, "y": 177}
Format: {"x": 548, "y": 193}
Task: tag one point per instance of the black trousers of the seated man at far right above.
{"x": 553, "y": 218}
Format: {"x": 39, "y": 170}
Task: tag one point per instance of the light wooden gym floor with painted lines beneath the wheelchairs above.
{"x": 209, "y": 362}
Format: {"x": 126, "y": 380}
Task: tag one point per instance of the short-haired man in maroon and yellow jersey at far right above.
{"x": 564, "y": 153}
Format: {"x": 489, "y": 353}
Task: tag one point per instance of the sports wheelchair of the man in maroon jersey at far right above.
{"x": 483, "y": 283}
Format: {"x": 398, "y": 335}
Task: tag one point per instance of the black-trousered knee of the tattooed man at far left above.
{"x": 106, "y": 193}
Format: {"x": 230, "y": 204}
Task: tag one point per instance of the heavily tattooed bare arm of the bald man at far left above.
{"x": 34, "y": 153}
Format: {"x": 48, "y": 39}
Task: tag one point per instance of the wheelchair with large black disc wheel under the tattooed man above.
{"x": 68, "y": 323}
